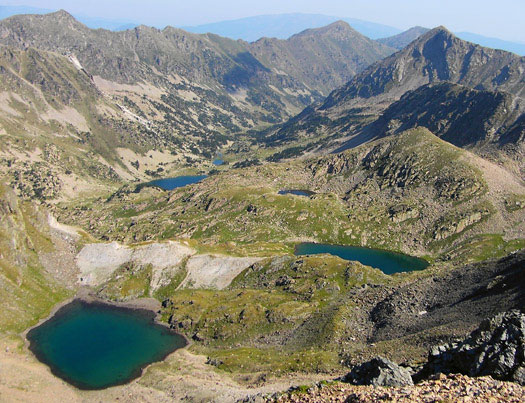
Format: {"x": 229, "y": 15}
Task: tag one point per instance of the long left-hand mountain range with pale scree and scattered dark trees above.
{"x": 85, "y": 106}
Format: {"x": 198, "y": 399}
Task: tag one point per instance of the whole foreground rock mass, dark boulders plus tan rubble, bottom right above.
{"x": 494, "y": 349}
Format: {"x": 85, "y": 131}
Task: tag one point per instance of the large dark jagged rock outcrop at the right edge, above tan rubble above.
{"x": 496, "y": 348}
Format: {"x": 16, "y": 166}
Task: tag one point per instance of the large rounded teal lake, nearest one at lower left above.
{"x": 95, "y": 346}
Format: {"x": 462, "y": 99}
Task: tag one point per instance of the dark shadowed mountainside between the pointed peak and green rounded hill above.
{"x": 455, "y": 113}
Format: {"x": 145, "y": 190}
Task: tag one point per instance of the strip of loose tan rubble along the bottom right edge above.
{"x": 452, "y": 388}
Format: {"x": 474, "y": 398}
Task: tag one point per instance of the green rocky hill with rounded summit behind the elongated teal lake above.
{"x": 412, "y": 192}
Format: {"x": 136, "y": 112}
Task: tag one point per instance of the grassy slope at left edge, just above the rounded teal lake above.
{"x": 27, "y": 291}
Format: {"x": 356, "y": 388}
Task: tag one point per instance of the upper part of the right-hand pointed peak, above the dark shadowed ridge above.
{"x": 436, "y": 56}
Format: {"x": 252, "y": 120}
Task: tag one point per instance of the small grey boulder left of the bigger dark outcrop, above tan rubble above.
{"x": 379, "y": 372}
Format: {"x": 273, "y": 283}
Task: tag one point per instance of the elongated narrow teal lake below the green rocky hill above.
{"x": 387, "y": 262}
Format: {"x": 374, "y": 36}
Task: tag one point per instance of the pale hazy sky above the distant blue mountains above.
{"x": 498, "y": 18}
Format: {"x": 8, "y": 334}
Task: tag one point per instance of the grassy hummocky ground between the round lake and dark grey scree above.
{"x": 284, "y": 314}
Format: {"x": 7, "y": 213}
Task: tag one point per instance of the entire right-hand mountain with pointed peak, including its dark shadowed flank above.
{"x": 469, "y": 95}
